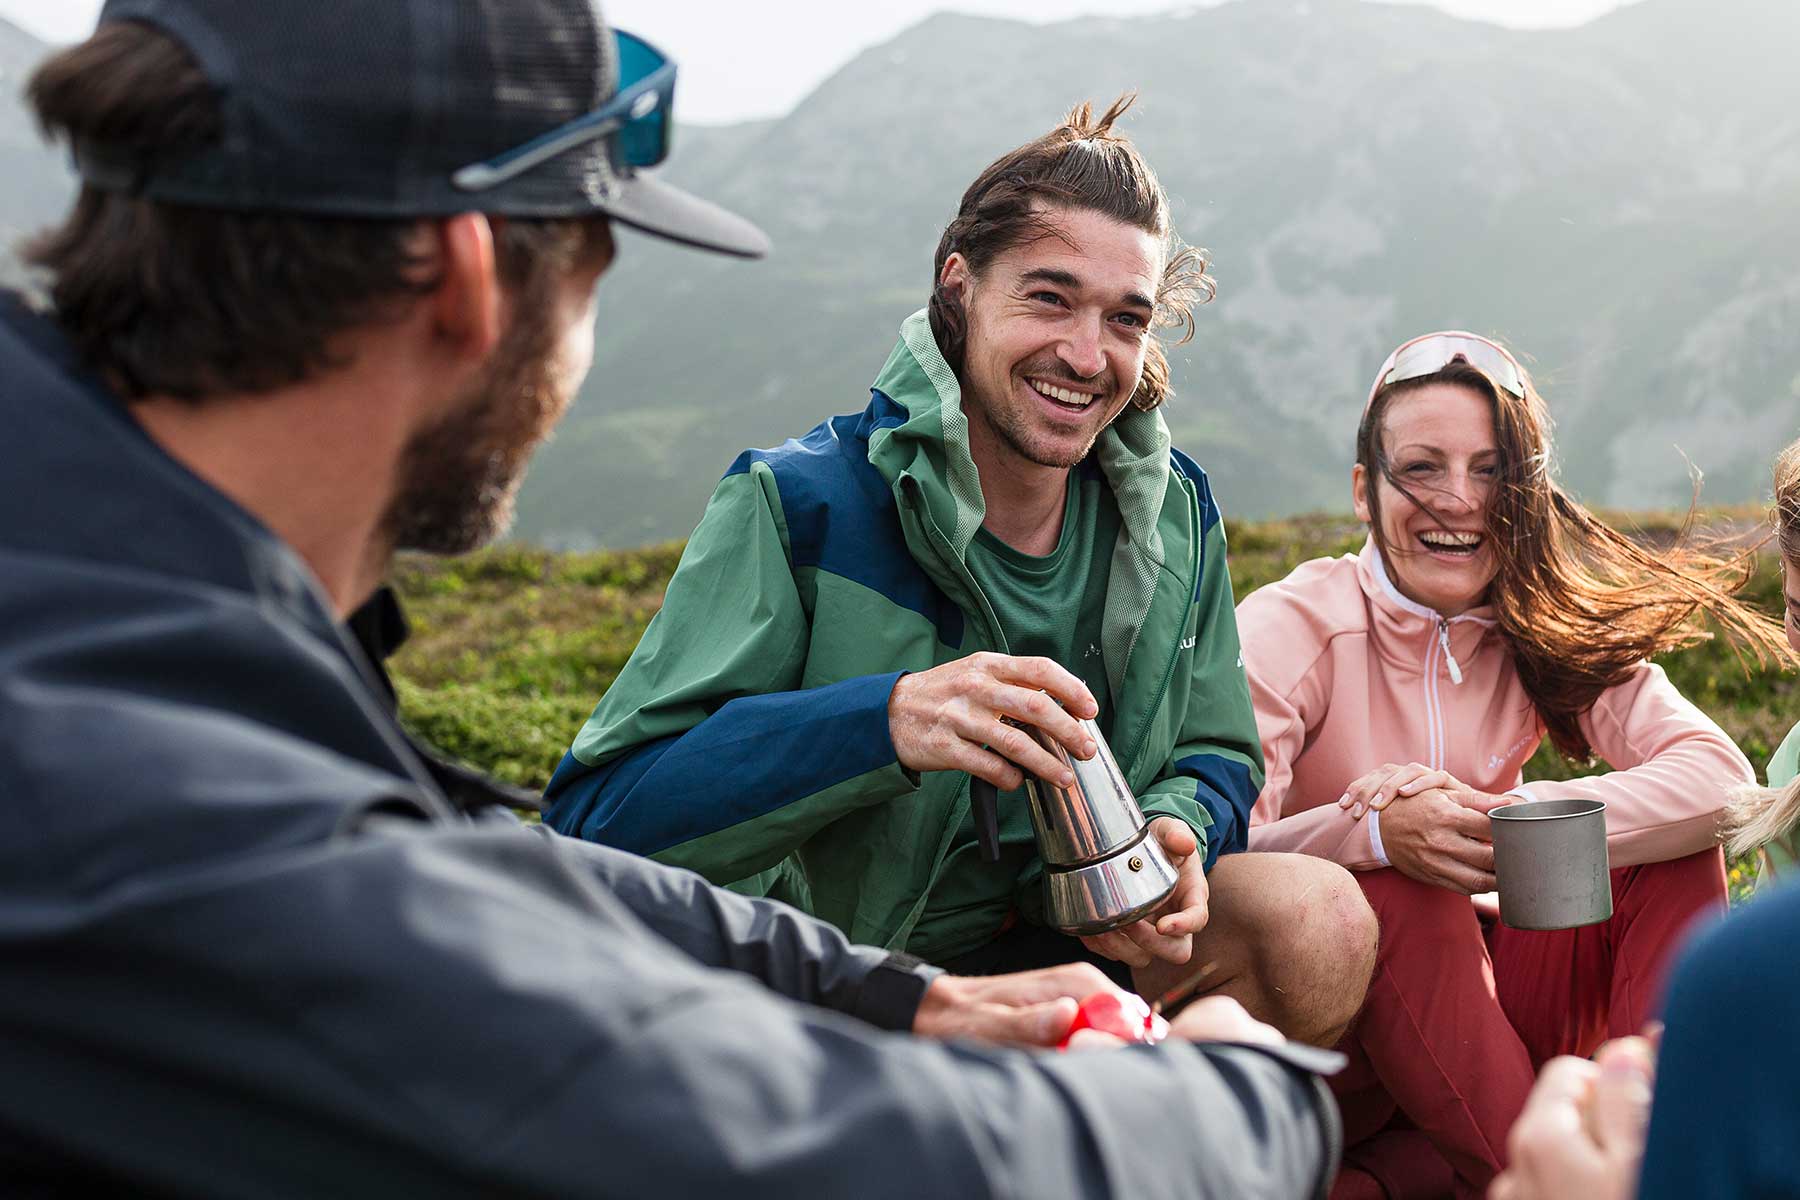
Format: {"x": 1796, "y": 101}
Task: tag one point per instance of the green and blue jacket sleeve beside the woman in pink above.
{"x": 1216, "y": 769}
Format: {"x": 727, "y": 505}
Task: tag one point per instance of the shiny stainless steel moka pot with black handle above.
{"x": 1102, "y": 868}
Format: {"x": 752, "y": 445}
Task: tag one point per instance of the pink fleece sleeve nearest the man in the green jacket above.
{"x": 1286, "y": 713}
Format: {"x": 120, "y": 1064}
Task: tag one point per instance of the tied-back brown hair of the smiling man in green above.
{"x": 1081, "y": 165}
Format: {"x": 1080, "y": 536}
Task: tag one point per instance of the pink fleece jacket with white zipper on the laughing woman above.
{"x": 1347, "y": 676}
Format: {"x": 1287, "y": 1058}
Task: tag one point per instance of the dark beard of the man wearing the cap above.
{"x": 460, "y": 478}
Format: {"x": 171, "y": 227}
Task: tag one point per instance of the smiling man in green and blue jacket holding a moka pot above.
{"x": 1003, "y": 537}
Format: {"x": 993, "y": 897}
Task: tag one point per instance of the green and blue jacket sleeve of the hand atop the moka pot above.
{"x": 714, "y": 749}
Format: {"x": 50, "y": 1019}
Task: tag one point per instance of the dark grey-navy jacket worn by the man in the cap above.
{"x": 249, "y": 947}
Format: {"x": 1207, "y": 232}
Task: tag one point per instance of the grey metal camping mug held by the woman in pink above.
{"x": 1551, "y": 864}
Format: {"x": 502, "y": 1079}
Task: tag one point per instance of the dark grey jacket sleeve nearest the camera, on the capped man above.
{"x": 420, "y": 1010}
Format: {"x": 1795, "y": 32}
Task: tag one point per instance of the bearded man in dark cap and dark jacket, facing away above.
{"x": 327, "y": 285}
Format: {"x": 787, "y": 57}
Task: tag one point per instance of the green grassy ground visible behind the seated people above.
{"x": 514, "y": 647}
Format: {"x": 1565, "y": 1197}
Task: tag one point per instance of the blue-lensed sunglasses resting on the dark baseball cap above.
{"x": 638, "y": 120}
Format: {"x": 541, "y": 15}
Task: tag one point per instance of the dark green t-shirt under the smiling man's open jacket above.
{"x": 1047, "y": 607}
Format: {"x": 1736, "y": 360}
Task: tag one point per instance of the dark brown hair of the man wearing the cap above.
{"x": 188, "y": 301}
